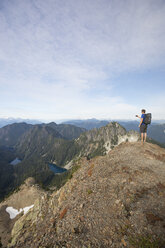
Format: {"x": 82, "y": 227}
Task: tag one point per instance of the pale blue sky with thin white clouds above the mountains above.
{"x": 64, "y": 59}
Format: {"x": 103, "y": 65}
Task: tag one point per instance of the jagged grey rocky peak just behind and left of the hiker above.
{"x": 101, "y": 141}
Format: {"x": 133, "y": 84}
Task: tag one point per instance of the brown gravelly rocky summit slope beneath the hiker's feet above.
{"x": 116, "y": 200}
